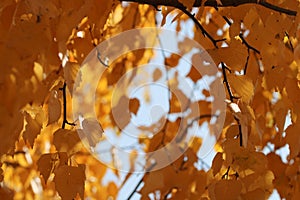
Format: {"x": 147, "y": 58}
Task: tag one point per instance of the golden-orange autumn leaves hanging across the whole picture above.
{"x": 255, "y": 46}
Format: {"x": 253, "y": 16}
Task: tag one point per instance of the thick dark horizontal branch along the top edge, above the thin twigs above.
{"x": 213, "y": 3}
